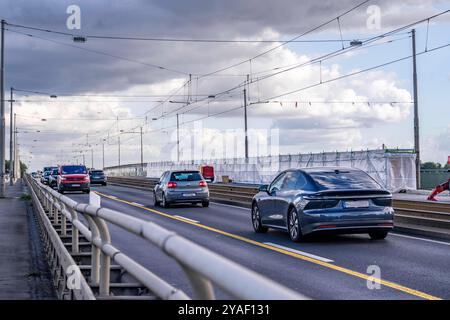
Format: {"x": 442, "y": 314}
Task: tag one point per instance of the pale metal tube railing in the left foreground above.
{"x": 86, "y": 265}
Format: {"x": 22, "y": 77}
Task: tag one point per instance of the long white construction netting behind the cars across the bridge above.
{"x": 394, "y": 169}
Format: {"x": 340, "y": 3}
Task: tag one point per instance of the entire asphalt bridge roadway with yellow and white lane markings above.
{"x": 332, "y": 267}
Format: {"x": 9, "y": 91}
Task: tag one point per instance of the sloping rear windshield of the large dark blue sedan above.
{"x": 344, "y": 180}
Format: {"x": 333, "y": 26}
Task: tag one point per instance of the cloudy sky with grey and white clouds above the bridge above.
{"x": 102, "y": 80}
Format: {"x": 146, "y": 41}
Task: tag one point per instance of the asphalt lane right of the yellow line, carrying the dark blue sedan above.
{"x": 417, "y": 264}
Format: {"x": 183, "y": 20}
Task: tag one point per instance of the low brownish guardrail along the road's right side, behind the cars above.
{"x": 426, "y": 218}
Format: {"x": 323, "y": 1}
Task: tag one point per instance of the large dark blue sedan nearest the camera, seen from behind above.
{"x": 323, "y": 200}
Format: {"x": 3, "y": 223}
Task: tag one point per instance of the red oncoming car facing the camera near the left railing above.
{"x": 73, "y": 178}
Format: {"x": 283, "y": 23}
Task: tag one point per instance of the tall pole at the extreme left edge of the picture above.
{"x": 2, "y": 111}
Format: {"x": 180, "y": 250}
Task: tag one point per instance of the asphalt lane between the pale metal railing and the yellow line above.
{"x": 307, "y": 278}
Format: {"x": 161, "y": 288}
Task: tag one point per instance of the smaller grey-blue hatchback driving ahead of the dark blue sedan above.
{"x": 181, "y": 187}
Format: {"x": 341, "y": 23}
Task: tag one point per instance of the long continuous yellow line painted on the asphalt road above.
{"x": 292, "y": 254}
